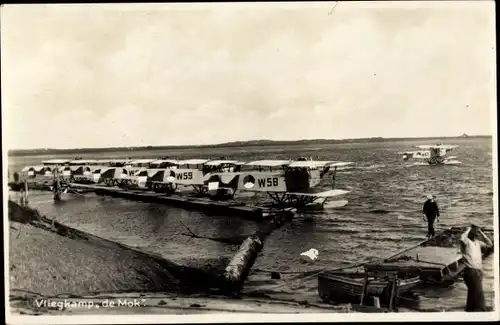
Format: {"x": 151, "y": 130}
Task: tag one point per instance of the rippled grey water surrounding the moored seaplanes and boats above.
{"x": 382, "y": 217}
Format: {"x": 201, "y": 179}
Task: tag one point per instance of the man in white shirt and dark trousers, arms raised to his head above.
{"x": 471, "y": 247}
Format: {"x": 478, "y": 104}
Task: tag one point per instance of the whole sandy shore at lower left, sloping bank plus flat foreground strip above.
{"x": 52, "y": 274}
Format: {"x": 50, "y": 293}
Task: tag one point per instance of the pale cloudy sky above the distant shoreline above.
{"x": 92, "y": 75}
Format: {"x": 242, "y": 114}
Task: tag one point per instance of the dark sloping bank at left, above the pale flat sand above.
{"x": 49, "y": 258}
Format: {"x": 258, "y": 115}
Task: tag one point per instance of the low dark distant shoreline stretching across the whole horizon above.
{"x": 250, "y": 143}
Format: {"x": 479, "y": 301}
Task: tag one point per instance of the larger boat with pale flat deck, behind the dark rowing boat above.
{"x": 436, "y": 261}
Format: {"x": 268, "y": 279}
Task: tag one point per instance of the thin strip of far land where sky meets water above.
{"x": 244, "y": 141}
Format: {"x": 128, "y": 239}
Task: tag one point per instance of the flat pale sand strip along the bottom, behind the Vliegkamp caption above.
{"x": 159, "y": 303}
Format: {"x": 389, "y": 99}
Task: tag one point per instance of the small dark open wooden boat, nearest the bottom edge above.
{"x": 342, "y": 286}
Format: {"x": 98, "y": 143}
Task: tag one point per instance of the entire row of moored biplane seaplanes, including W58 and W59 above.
{"x": 287, "y": 182}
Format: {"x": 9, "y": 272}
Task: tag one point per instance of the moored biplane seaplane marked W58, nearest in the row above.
{"x": 288, "y": 183}
